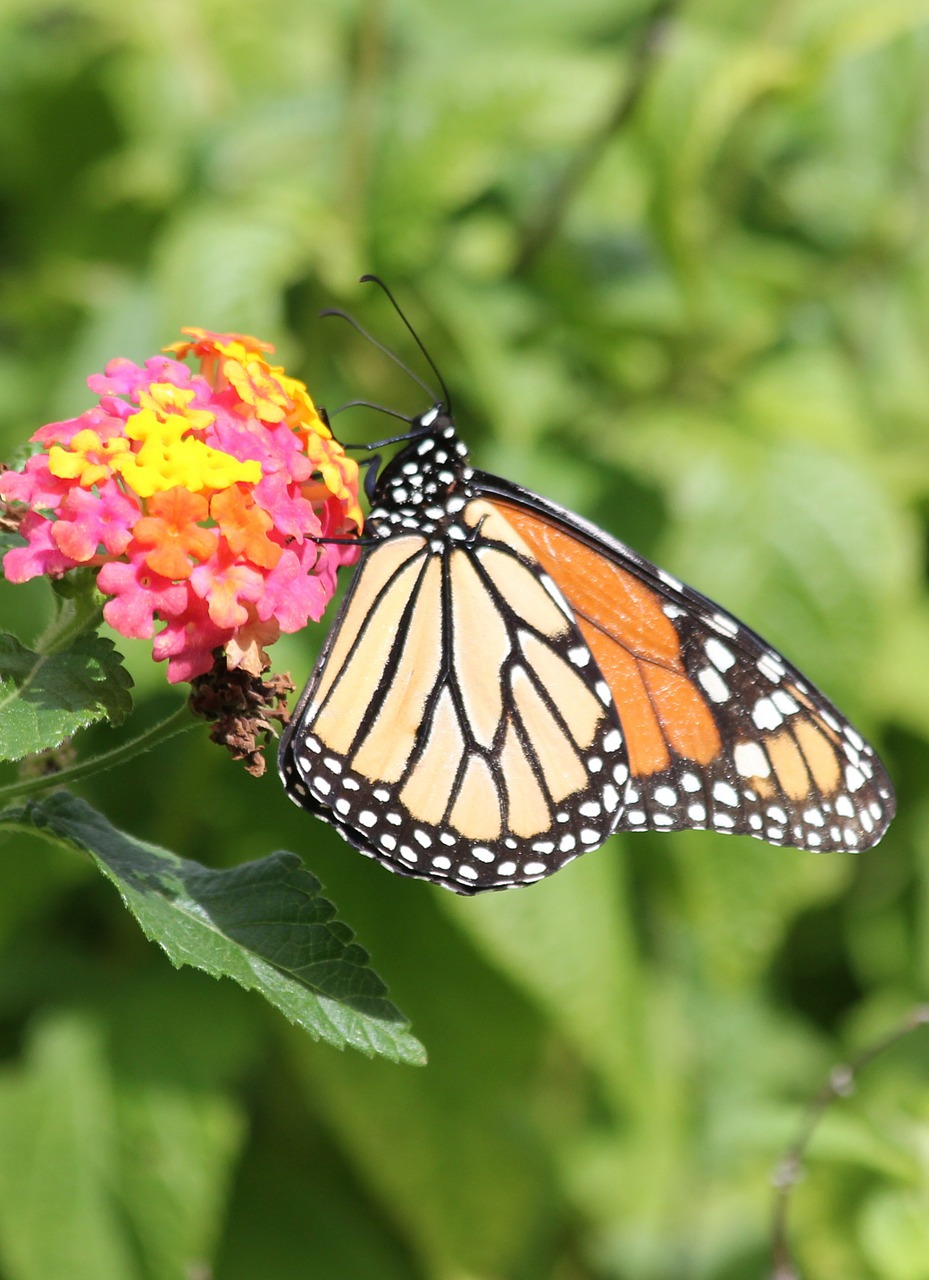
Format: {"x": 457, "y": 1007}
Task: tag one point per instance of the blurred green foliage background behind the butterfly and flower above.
{"x": 675, "y": 268}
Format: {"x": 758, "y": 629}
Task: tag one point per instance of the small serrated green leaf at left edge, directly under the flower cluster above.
{"x": 44, "y": 698}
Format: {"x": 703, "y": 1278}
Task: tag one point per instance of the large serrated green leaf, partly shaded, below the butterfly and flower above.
{"x": 264, "y": 925}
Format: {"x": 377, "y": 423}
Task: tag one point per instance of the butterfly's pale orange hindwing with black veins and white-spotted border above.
{"x": 456, "y": 728}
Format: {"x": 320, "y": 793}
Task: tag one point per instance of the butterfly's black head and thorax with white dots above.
{"x": 425, "y": 486}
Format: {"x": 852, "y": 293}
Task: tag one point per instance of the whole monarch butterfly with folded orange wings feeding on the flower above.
{"x": 506, "y": 685}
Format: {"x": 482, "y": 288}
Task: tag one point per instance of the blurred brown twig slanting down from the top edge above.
{"x": 541, "y": 231}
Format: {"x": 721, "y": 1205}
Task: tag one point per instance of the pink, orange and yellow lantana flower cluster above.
{"x": 199, "y": 497}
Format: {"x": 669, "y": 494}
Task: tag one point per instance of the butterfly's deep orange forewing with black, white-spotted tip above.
{"x": 721, "y": 732}
